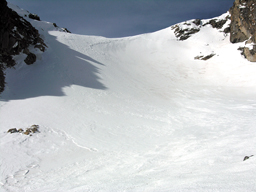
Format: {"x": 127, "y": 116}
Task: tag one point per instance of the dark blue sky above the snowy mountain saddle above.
{"x": 119, "y": 18}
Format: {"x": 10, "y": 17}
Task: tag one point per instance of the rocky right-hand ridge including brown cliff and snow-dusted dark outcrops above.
{"x": 242, "y": 27}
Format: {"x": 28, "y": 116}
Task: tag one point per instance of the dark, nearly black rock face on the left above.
{"x": 16, "y": 35}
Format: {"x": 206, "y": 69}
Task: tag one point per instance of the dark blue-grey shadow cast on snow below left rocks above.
{"x": 60, "y": 67}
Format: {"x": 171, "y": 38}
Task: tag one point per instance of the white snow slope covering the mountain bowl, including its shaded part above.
{"x": 130, "y": 114}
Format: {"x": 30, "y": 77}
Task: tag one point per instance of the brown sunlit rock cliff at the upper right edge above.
{"x": 243, "y": 26}
